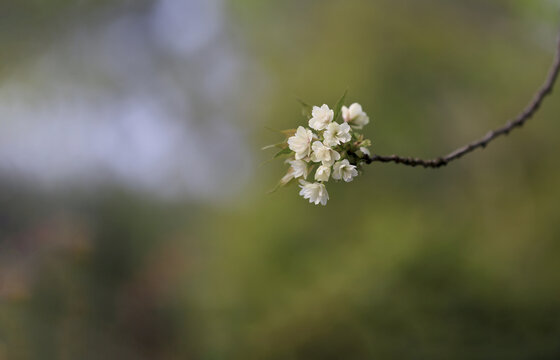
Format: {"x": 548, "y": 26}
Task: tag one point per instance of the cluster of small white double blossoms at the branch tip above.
{"x": 325, "y": 150}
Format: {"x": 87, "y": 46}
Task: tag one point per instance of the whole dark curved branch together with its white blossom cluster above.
{"x": 330, "y": 149}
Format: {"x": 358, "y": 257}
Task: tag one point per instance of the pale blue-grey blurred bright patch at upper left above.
{"x": 145, "y": 100}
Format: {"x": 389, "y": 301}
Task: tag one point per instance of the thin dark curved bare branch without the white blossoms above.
{"x": 525, "y": 115}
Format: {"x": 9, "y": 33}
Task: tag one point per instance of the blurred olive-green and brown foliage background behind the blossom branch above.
{"x": 403, "y": 263}
